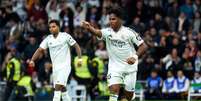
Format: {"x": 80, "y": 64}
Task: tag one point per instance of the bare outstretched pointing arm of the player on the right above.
{"x": 91, "y": 29}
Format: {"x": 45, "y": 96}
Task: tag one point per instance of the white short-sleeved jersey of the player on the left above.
{"x": 59, "y": 49}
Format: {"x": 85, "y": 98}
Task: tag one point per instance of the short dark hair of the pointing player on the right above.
{"x": 117, "y": 11}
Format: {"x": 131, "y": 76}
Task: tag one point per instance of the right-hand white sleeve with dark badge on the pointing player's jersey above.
{"x": 135, "y": 38}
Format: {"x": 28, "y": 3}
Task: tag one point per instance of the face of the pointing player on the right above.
{"x": 114, "y": 21}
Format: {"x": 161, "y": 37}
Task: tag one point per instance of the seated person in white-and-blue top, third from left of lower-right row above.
{"x": 182, "y": 85}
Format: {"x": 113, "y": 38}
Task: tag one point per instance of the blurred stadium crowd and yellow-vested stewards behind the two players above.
{"x": 171, "y": 29}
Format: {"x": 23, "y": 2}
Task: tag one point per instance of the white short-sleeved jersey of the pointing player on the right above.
{"x": 120, "y": 46}
